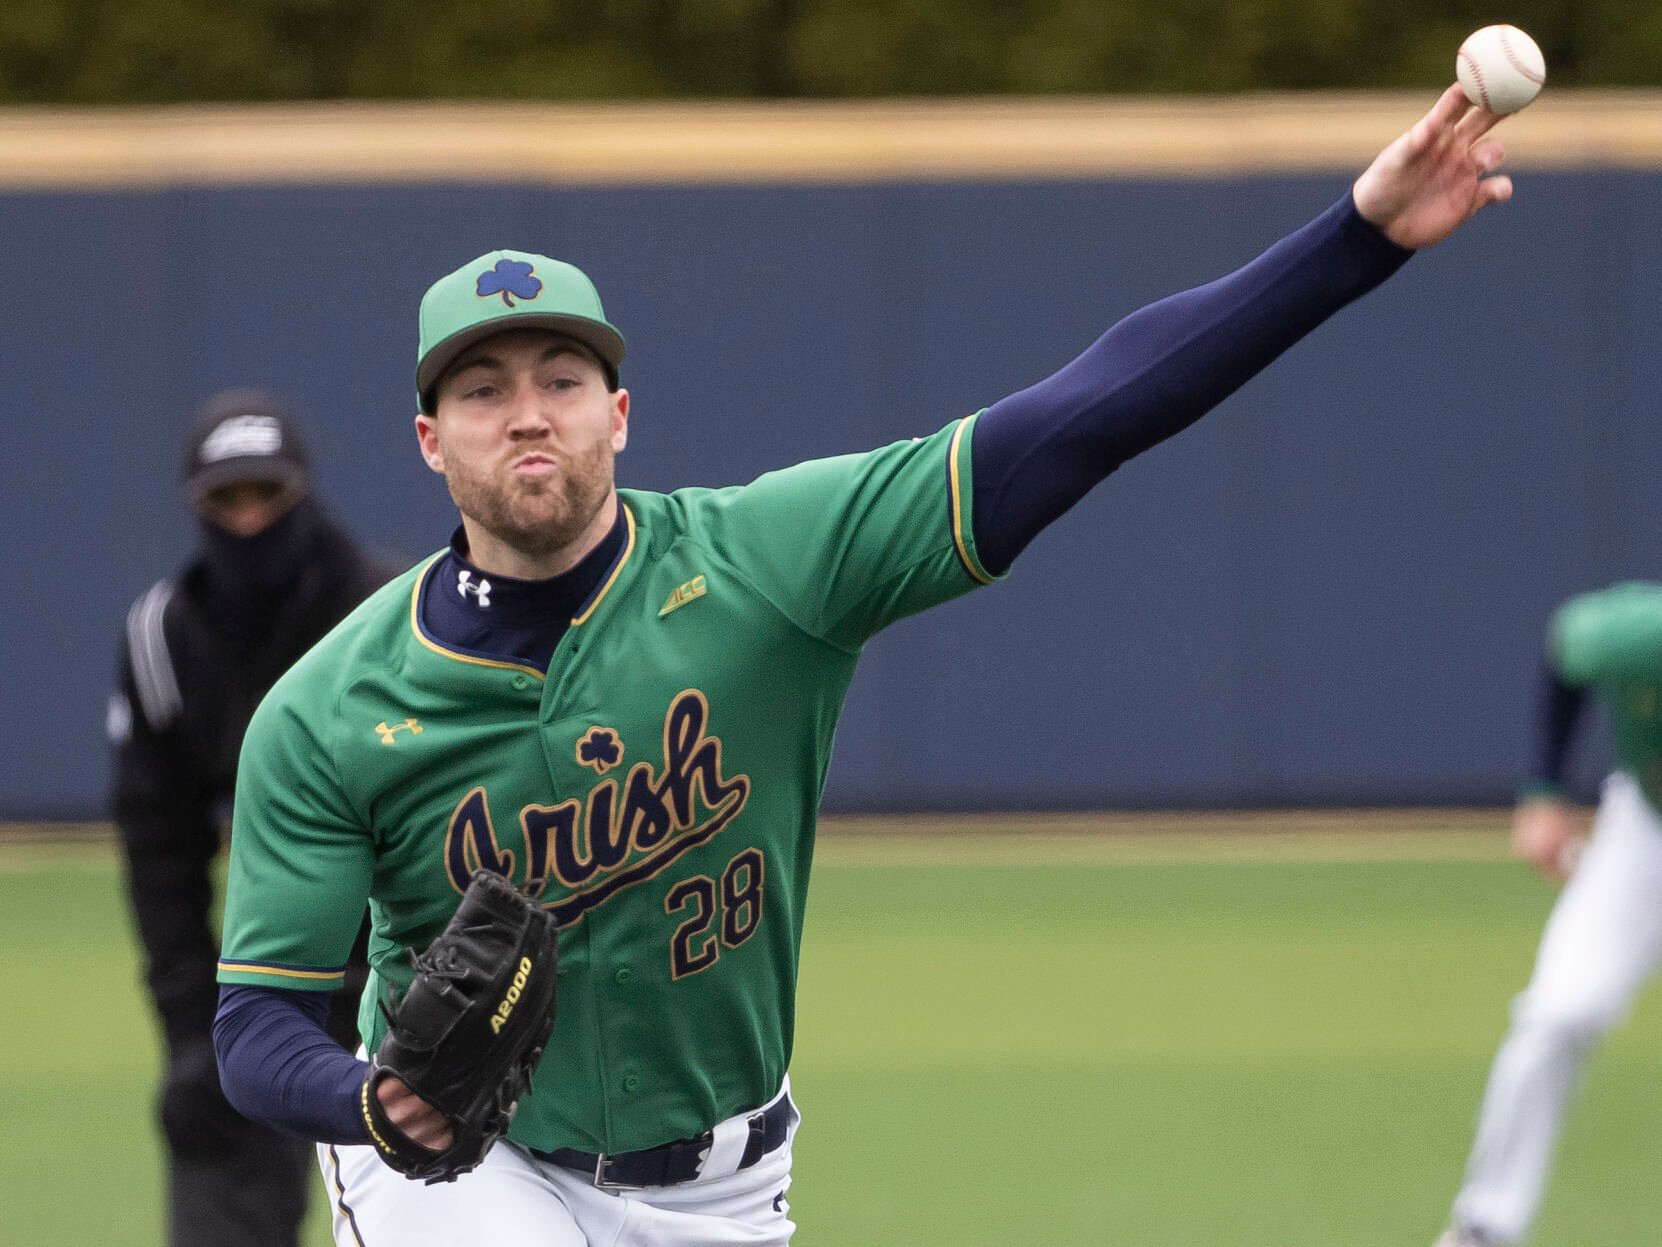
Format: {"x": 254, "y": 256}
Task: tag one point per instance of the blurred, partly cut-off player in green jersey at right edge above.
{"x": 1605, "y": 937}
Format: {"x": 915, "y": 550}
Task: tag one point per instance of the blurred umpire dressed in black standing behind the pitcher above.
{"x": 272, "y": 574}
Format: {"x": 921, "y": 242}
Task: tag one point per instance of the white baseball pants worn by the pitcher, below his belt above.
{"x": 518, "y": 1201}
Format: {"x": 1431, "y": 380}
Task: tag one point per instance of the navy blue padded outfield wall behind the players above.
{"x": 1332, "y": 591}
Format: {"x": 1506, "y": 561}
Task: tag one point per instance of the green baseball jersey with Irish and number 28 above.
{"x": 662, "y": 782}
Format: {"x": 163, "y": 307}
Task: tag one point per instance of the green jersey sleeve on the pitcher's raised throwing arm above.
{"x": 847, "y": 546}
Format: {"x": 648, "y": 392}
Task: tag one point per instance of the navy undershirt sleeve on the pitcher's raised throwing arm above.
{"x": 1158, "y": 372}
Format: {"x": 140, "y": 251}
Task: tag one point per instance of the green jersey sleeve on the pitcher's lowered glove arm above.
{"x": 302, "y": 859}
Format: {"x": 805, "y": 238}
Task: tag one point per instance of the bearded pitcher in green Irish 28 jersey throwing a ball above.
{"x": 626, "y": 702}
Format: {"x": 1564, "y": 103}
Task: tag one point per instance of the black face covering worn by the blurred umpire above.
{"x": 247, "y": 579}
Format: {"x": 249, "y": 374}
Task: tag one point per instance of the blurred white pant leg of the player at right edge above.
{"x": 1601, "y": 944}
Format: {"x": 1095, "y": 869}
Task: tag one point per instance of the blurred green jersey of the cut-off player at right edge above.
{"x": 1613, "y": 643}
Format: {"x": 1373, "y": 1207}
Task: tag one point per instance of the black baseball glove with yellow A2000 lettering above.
{"x": 471, "y": 1028}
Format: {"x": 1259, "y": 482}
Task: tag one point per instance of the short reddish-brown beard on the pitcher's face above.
{"x": 539, "y": 516}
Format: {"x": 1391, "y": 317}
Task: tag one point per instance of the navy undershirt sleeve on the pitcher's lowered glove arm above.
{"x": 280, "y": 1067}
